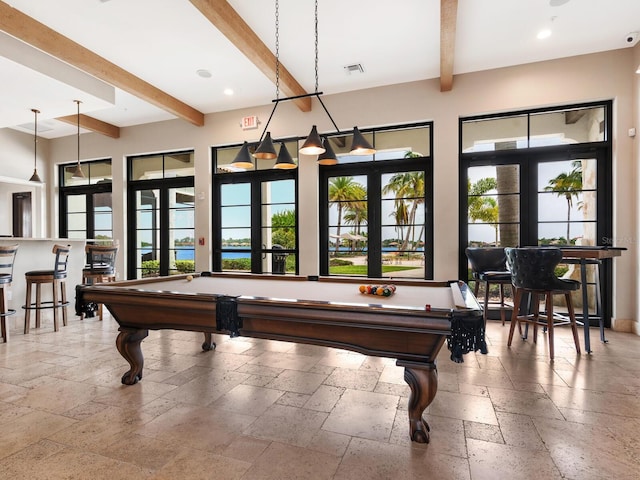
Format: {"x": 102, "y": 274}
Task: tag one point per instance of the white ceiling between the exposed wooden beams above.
{"x": 165, "y": 42}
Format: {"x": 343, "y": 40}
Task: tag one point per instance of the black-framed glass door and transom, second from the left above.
{"x": 161, "y": 220}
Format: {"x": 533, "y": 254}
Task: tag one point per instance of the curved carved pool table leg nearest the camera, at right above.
{"x": 423, "y": 381}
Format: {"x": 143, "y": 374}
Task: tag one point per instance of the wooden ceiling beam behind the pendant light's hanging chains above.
{"x": 226, "y": 19}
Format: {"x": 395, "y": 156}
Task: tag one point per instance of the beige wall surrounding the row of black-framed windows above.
{"x": 601, "y": 76}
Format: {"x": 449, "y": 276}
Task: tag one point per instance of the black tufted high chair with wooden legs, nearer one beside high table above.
{"x": 533, "y": 273}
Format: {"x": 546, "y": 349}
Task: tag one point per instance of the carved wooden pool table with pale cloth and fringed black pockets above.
{"x": 411, "y": 325}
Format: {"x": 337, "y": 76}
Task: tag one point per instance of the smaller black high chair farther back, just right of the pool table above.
{"x": 489, "y": 267}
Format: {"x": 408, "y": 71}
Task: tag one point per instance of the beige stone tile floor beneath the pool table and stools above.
{"x": 256, "y": 409}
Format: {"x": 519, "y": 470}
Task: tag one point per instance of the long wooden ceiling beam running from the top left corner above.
{"x": 34, "y": 33}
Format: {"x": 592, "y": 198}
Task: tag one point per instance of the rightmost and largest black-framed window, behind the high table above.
{"x": 541, "y": 177}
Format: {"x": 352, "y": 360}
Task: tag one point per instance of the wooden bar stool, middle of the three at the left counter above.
{"x": 57, "y": 279}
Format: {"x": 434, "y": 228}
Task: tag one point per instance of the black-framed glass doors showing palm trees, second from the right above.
{"x": 376, "y": 211}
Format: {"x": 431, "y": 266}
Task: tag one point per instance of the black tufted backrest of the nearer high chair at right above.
{"x": 533, "y": 268}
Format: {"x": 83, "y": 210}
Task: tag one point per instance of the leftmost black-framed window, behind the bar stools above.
{"x": 85, "y": 203}
